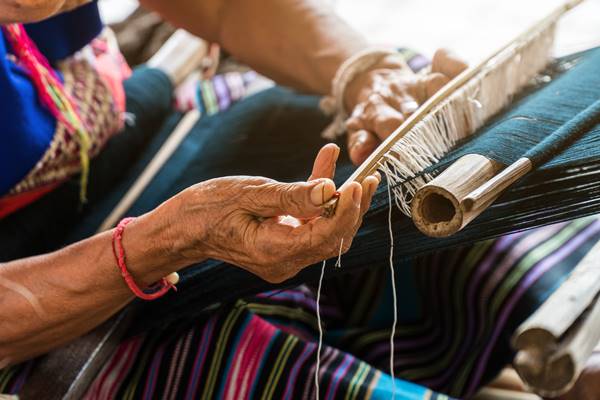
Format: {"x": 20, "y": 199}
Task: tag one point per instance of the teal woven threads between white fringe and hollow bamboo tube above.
{"x": 536, "y": 116}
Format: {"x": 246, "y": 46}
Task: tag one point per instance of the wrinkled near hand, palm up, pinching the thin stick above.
{"x": 269, "y": 228}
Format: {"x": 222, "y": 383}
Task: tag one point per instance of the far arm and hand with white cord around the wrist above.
{"x": 302, "y": 43}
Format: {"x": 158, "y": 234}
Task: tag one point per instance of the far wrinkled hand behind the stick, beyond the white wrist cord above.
{"x": 382, "y": 98}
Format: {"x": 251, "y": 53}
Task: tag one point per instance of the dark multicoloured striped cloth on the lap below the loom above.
{"x": 457, "y": 309}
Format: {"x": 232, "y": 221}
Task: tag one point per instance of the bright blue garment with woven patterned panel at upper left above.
{"x": 38, "y": 151}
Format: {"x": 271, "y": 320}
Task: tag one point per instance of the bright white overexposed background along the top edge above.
{"x": 472, "y": 28}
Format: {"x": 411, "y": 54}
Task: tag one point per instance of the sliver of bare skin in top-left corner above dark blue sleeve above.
{"x": 34, "y": 10}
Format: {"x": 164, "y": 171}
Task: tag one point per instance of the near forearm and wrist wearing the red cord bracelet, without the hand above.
{"x": 48, "y": 300}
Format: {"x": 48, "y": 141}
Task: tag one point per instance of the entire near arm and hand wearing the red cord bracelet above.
{"x": 48, "y": 300}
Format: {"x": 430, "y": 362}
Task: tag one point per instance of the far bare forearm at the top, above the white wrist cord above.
{"x": 295, "y": 42}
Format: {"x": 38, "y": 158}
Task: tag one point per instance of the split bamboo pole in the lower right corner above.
{"x": 557, "y": 340}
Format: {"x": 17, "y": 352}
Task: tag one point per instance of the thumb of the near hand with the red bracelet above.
{"x": 300, "y": 200}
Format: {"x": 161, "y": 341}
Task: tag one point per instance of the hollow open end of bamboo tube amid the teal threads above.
{"x": 438, "y": 208}
